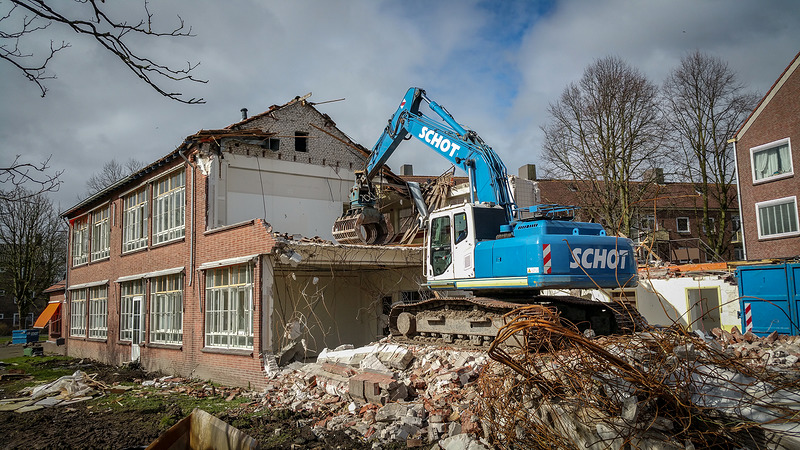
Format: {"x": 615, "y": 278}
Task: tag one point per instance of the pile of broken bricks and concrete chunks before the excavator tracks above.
{"x": 386, "y": 393}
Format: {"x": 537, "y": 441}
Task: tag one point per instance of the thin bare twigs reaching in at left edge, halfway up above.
{"x": 20, "y": 174}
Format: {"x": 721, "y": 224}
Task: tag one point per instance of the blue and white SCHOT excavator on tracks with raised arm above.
{"x": 484, "y": 246}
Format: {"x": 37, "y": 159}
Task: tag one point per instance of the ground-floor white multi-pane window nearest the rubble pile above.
{"x": 229, "y": 307}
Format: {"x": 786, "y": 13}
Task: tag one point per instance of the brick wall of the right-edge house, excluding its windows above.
{"x": 780, "y": 119}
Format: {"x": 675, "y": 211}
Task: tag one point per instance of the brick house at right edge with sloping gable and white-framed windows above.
{"x": 766, "y": 160}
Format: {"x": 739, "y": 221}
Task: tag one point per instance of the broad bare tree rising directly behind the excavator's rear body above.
{"x": 605, "y": 130}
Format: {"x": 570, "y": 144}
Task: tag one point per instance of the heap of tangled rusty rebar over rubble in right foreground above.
{"x": 549, "y": 386}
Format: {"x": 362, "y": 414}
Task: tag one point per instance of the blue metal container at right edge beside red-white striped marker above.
{"x": 769, "y": 296}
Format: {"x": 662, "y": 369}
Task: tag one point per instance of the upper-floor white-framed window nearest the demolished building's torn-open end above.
{"x": 169, "y": 207}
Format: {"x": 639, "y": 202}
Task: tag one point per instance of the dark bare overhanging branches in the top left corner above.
{"x": 25, "y": 18}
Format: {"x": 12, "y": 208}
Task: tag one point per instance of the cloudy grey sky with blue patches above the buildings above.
{"x": 495, "y": 65}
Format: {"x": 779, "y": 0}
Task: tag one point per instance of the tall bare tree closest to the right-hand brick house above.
{"x": 706, "y": 104}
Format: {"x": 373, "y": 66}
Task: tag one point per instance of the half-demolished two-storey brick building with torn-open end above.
{"x": 203, "y": 263}
